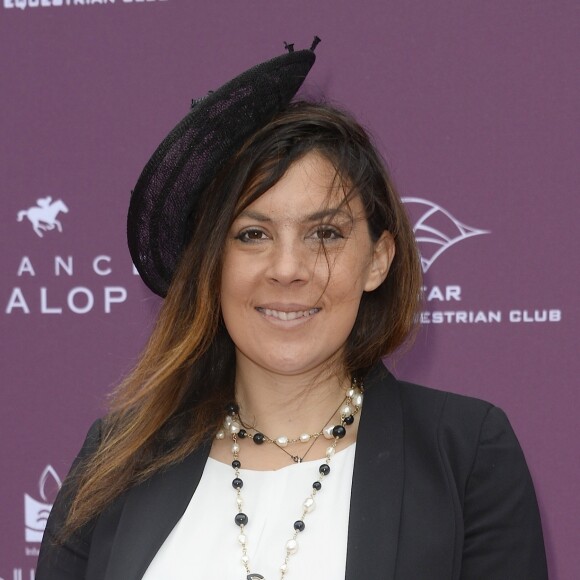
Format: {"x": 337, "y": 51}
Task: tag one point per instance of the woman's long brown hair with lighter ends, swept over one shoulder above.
{"x": 173, "y": 400}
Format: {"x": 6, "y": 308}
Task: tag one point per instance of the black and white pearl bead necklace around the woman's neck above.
{"x": 233, "y": 425}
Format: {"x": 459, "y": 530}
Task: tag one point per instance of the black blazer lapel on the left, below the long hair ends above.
{"x": 150, "y": 512}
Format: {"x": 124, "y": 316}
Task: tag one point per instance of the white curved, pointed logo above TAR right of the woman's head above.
{"x": 437, "y": 230}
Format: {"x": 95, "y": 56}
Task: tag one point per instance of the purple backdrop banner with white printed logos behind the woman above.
{"x": 473, "y": 104}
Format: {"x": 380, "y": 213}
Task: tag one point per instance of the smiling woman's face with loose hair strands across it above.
{"x": 296, "y": 264}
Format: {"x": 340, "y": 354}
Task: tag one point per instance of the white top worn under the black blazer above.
{"x": 204, "y": 543}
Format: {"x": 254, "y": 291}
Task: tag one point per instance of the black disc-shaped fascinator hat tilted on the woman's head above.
{"x": 193, "y": 152}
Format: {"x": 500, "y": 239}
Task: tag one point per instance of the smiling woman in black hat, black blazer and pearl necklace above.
{"x": 289, "y": 270}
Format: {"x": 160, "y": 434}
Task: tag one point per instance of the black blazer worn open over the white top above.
{"x": 440, "y": 491}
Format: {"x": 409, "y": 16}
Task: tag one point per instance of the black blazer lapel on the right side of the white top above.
{"x": 377, "y": 485}
